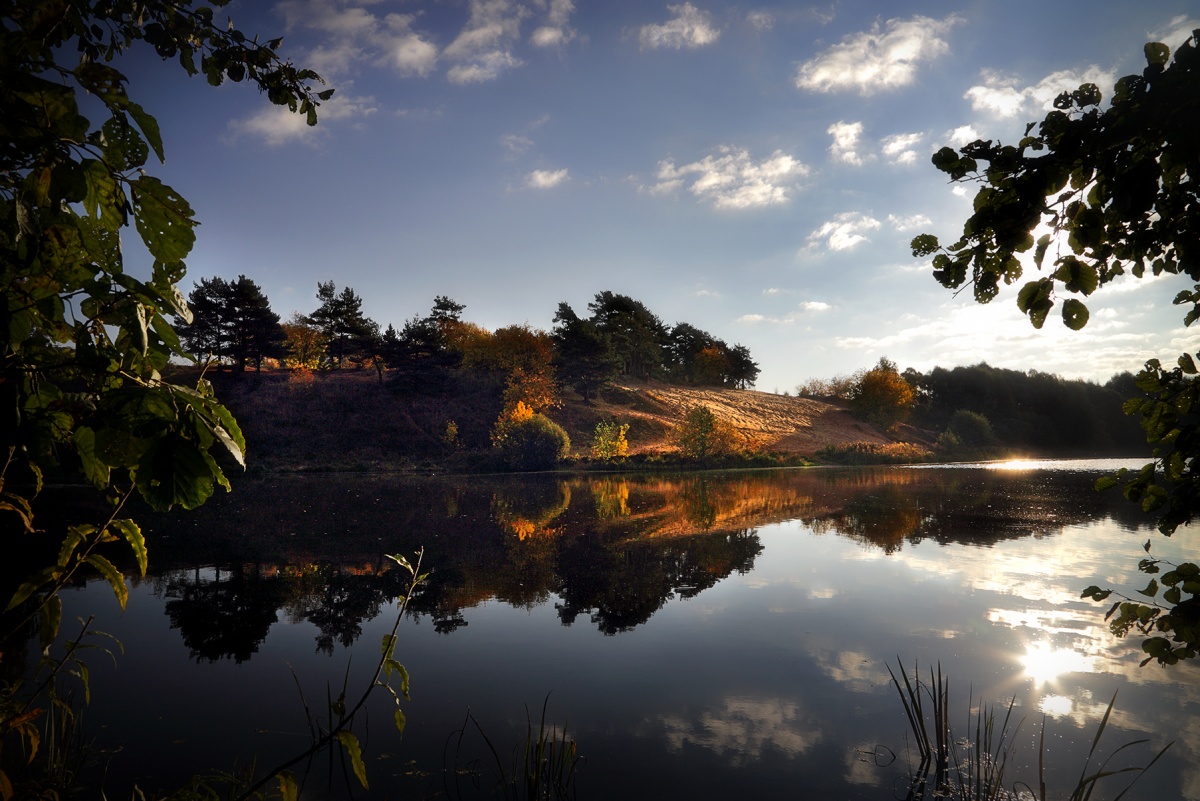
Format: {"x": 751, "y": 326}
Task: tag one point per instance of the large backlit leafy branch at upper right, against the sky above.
{"x": 1113, "y": 188}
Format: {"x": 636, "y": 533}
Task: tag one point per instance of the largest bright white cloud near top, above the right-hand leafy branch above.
{"x": 878, "y": 59}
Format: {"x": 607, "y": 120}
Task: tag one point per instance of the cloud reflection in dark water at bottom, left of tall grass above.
{"x": 745, "y": 728}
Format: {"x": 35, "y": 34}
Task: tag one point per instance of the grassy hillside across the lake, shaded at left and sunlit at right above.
{"x": 347, "y": 420}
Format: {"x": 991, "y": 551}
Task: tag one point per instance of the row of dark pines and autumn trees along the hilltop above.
{"x": 233, "y": 323}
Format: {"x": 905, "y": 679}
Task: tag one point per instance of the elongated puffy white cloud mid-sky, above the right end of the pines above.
{"x": 731, "y": 180}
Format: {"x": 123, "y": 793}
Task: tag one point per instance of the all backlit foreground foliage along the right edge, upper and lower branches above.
{"x": 1115, "y": 191}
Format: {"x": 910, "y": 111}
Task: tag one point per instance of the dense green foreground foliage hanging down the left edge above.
{"x": 86, "y": 342}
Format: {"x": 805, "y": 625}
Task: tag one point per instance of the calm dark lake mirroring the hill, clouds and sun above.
{"x": 700, "y": 636}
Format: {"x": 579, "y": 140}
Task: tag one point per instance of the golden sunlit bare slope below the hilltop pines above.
{"x": 771, "y": 423}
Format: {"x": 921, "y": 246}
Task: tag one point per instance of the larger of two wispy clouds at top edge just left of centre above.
{"x": 483, "y": 49}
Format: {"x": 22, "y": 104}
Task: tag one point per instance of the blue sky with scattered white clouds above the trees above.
{"x": 757, "y": 171}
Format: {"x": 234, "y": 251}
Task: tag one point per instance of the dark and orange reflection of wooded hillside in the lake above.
{"x": 614, "y": 549}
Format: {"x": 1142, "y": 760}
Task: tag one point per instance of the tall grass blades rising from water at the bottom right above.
{"x": 974, "y": 768}
